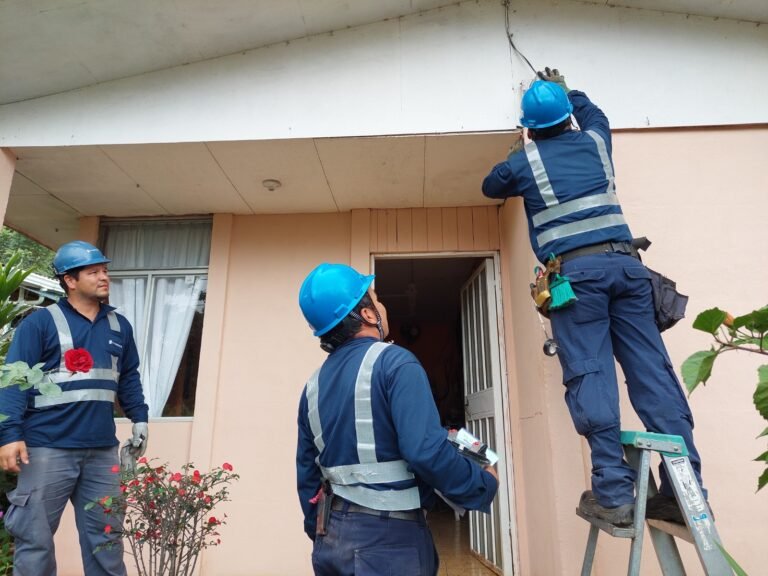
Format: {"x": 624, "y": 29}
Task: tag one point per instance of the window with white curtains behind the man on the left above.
{"x": 159, "y": 274}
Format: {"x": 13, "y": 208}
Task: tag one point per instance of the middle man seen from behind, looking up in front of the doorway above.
{"x": 369, "y": 433}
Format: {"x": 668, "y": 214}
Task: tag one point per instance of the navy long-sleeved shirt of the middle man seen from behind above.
{"x": 406, "y": 426}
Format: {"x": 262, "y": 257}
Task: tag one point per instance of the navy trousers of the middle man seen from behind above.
{"x": 364, "y": 545}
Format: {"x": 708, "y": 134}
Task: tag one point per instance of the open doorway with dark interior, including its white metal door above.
{"x": 443, "y": 309}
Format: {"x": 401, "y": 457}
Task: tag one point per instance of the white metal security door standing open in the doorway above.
{"x": 490, "y": 536}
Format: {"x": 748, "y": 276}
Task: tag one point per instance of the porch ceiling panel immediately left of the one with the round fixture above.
{"x": 181, "y": 178}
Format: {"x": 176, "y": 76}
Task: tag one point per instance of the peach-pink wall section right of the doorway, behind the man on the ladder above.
{"x": 700, "y": 195}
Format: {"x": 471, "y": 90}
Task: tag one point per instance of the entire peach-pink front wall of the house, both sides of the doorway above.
{"x": 695, "y": 193}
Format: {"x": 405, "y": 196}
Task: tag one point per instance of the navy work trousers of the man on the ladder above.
{"x": 614, "y": 317}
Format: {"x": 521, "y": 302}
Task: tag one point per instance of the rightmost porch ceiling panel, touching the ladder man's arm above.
{"x": 456, "y": 165}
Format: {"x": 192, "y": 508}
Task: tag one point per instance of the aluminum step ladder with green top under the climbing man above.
{"x": 700, "y": 526}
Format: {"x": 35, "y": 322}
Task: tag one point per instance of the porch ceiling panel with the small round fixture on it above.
{"x": 294, "y": 163}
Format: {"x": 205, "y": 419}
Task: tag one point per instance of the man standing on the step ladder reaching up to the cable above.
{"x": 565, "y": 177}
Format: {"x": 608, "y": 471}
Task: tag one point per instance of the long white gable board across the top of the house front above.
{"x": 446, "y": 70}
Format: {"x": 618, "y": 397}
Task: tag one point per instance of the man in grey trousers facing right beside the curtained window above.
{"x": 64, "y": 447}
